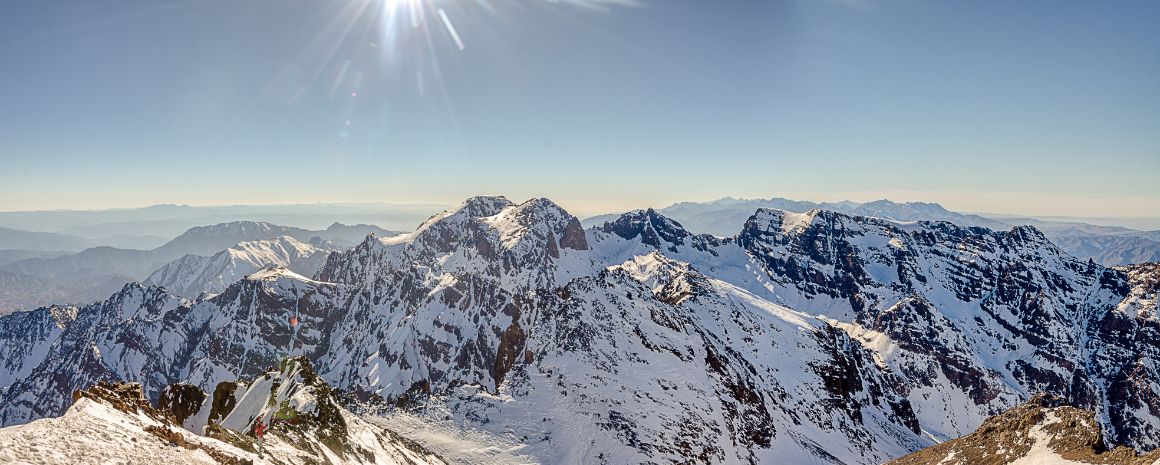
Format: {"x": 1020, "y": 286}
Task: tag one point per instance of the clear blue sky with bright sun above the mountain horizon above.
{"x": 1048, "y": 108}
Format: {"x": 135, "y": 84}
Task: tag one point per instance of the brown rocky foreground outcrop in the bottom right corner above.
{"x": 1043, "y": 430}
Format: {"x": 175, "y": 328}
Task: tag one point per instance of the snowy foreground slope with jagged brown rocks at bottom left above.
{"x": 114, "y": 424}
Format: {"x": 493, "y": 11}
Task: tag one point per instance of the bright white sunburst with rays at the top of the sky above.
{"x": 376, "y": 53}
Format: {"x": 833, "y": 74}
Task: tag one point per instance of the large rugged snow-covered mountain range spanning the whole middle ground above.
{"x": 806, "y": 338}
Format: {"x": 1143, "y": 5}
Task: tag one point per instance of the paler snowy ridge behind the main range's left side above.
{"x": 192, "y": 275}
